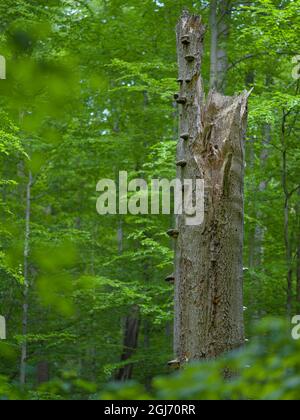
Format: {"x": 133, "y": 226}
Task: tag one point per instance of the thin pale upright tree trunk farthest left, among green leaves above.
{"x": 26, "y": 283}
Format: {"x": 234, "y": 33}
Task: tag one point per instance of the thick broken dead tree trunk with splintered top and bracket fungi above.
{"x": 208, "y": 262}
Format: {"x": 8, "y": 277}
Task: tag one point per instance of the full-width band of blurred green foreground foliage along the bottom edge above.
{"x": 268, "y": 368}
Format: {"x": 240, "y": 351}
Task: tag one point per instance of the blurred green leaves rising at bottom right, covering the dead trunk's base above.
{"x": 267, "y": 369}
